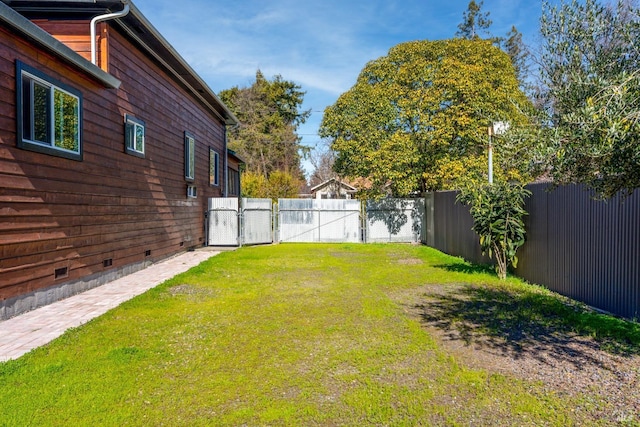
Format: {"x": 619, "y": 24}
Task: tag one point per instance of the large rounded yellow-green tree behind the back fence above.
{"x": 417, "y": 119}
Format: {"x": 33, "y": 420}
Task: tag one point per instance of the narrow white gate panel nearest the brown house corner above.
{"x": 222, "y": 225}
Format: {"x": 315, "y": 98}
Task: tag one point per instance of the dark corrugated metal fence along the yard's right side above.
{"x": 586, "y": 249}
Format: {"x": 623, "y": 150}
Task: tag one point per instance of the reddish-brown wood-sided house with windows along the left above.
{"x": 105, "y": 167}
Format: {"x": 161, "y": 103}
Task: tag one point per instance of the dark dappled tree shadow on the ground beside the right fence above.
{"x": 519, "y": 313}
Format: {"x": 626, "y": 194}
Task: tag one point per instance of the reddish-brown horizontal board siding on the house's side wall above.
{"x": 56, "y": 212}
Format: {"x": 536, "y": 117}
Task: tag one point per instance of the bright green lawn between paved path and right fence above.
{"x": 290, "y": 335}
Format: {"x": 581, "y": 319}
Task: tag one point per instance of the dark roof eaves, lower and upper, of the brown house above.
{"x": 135, "y": 25}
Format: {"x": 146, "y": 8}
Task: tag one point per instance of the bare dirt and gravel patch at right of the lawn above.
{"x": 511, "y": 334}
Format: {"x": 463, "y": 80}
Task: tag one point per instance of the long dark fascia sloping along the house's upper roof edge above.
{"x": 231, "y": 119}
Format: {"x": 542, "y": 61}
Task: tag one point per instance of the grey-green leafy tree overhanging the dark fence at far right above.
{"x": 591, "y": 91}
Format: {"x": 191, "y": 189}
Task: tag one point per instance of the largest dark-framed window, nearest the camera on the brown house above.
{"x": 49, "y": 114}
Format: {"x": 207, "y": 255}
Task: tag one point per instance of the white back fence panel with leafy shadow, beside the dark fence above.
{"x": 396, "y": 220}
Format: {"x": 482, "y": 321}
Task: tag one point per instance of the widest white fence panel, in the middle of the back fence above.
{"x": 313, "y": 220}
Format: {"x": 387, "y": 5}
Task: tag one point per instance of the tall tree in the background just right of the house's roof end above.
{"x": 269, "y": 112}
